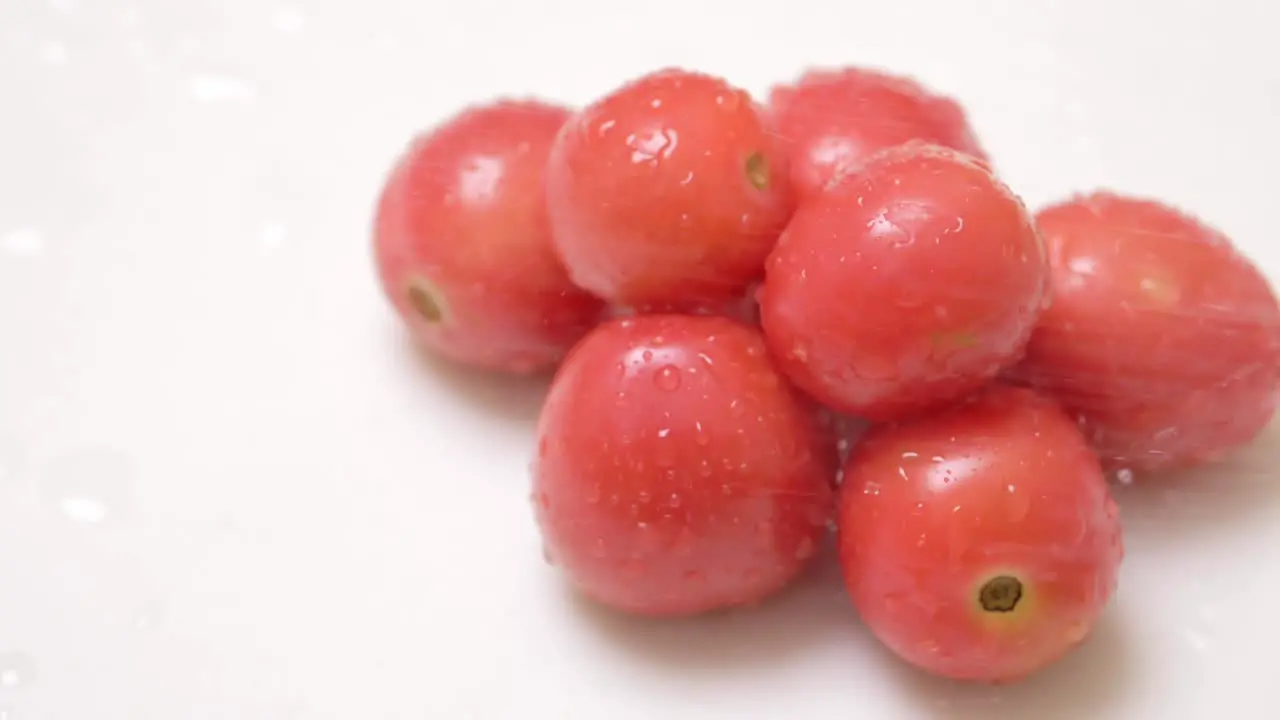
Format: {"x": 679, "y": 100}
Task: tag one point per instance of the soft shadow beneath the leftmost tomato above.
{"x": 510, "y": 398}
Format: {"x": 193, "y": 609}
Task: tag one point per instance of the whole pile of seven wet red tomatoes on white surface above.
{"x": 769, "y": 320}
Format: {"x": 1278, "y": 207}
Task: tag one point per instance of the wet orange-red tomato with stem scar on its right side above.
{"x": 668, "y": 193}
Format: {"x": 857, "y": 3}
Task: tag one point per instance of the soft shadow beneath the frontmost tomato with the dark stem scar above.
{"x": 1082, "y": 685}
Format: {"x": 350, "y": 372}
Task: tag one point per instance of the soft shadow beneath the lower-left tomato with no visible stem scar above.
{"x": 813, "y": 610}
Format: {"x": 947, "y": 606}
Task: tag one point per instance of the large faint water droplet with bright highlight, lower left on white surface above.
{"x": 89, "y": 487}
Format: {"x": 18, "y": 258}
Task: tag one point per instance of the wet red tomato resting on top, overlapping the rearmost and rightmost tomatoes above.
{"x": 907, "y": 285}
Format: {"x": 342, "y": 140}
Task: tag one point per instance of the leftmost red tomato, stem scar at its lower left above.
{"x": 464, "y": 245}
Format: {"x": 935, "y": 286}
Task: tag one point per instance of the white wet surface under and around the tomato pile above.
{"x": 227, "y": 491}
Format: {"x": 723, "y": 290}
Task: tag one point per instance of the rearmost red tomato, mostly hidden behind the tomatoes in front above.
{"x": 836, "y": 119}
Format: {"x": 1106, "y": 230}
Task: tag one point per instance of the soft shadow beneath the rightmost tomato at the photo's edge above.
{"x": 1206, "y": 499}
